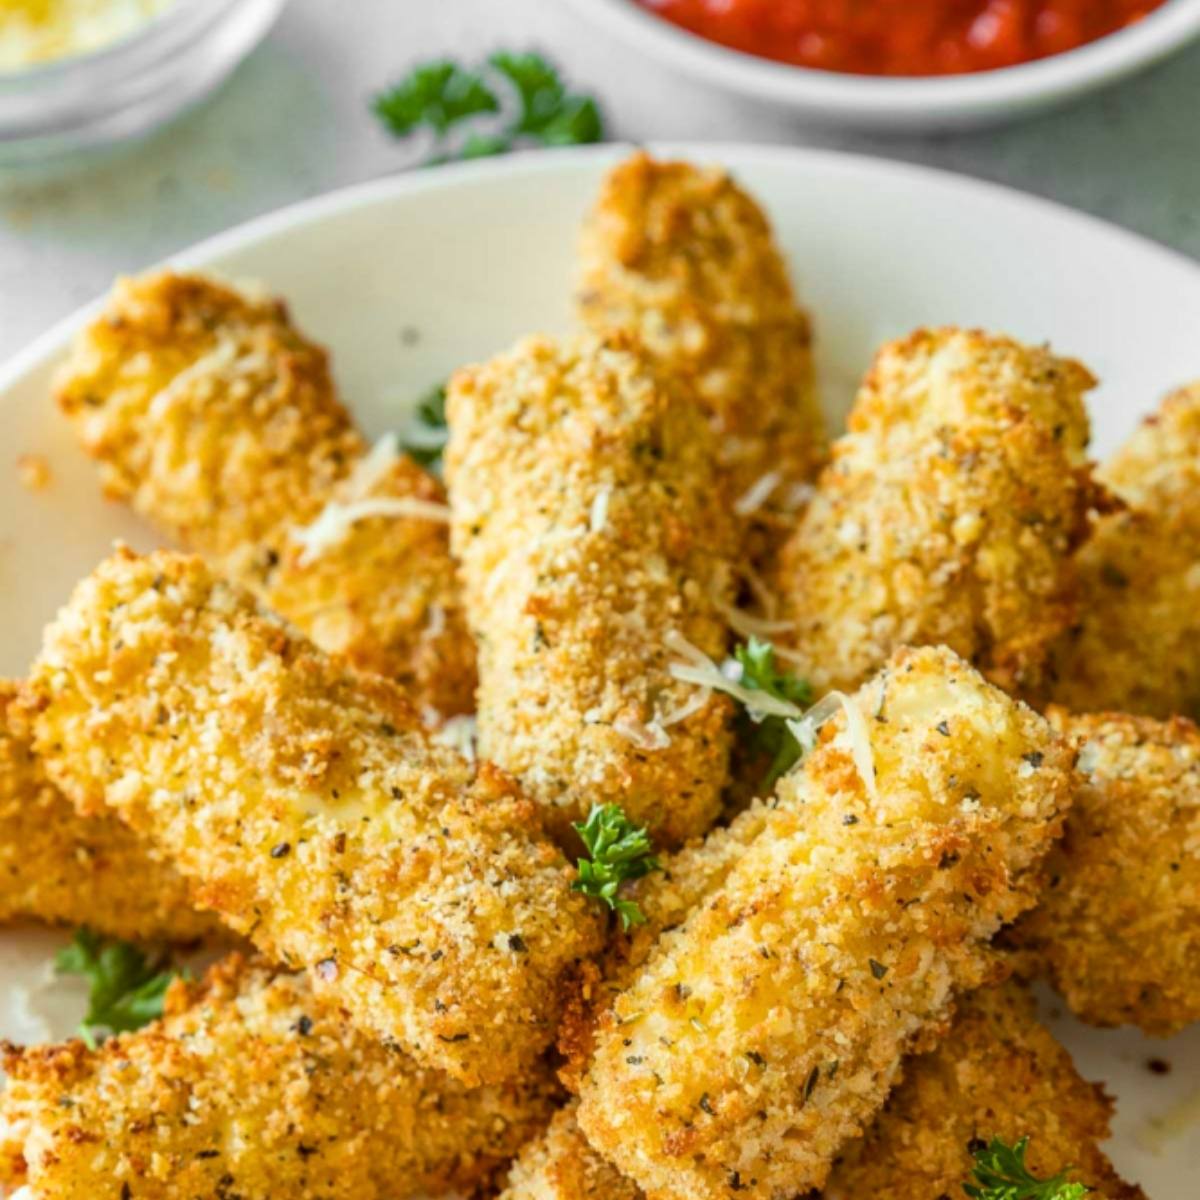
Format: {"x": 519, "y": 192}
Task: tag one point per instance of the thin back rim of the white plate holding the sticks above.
{"x": 55, "y": 340}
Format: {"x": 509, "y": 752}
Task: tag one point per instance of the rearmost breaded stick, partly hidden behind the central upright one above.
{"x": 685, "y": 259}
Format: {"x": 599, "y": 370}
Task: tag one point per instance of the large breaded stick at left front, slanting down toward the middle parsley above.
{"x": 311, "y": 811}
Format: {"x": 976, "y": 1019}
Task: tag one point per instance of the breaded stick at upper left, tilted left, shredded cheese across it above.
{"x": 220, "y": 424}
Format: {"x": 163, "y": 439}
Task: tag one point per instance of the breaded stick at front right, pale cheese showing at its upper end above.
{"x": 769, "y": 1029}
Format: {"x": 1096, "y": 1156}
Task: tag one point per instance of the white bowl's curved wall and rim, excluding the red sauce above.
{"x": 944, "y": 103}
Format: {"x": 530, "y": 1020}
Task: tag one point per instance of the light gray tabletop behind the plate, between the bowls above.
{"x": 293, "y": 122}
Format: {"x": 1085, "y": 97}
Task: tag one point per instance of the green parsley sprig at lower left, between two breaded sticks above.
{"x": 127, "y": 986}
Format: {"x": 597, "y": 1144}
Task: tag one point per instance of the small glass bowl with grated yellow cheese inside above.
{"x": 82, "y": 75}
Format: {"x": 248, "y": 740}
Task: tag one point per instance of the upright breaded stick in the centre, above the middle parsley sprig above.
{"x": 581, "y": 484}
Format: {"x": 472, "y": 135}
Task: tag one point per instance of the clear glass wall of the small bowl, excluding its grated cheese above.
{"x": 52, "y": 112}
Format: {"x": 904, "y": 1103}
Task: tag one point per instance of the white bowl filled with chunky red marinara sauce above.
{"x": 907, "y": 64}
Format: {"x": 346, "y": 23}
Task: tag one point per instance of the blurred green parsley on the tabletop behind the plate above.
{"x": 451, "y": 100}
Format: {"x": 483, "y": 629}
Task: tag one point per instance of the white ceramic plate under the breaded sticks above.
{"x": 409, "y": 278}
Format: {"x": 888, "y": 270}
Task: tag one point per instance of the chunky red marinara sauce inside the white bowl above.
{"x": 903, "y": 38}
